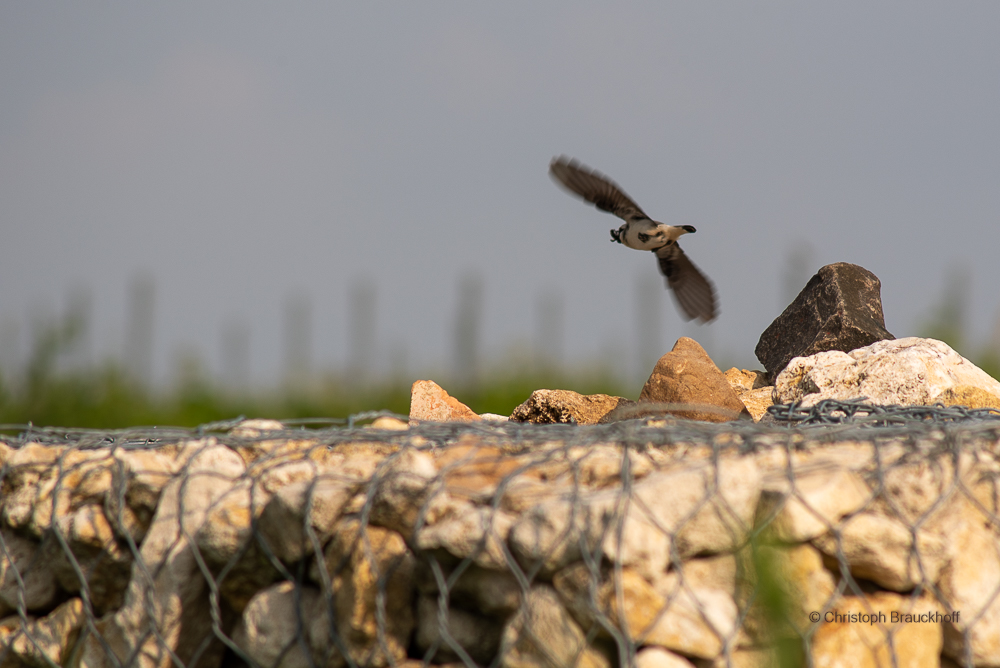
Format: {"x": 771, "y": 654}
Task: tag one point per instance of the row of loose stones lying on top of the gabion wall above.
{"x": 830, "y": 343}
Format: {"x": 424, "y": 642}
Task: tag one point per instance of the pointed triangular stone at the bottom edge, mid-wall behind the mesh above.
{"x": 541, "y": 634}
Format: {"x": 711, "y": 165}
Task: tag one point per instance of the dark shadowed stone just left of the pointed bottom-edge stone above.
{"x": 478, "y": 636}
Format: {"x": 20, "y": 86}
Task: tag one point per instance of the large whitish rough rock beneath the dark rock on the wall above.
{"x": 910, "y": 371}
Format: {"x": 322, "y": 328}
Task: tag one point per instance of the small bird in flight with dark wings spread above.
{"x": 694, "y": 293}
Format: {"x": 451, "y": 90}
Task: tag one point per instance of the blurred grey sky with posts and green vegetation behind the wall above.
{"x": 215, "y": 208}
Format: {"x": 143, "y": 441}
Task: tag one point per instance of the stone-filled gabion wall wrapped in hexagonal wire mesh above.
{"x": 841, "y": 534}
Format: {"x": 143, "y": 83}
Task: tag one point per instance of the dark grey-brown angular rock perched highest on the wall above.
{"x": 839, "y": 309}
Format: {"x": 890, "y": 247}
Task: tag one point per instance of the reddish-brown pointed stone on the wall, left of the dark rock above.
{"x": 687, "y": 375}
